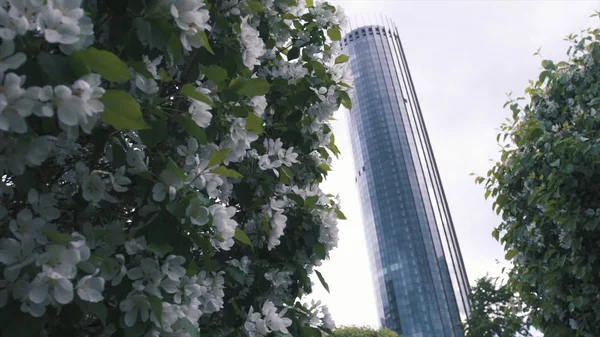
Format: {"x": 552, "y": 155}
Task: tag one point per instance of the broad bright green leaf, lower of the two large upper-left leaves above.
{"x": 122, "y": 111}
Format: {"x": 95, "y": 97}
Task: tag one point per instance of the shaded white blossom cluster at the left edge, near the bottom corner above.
{"x": 57, "y": 262}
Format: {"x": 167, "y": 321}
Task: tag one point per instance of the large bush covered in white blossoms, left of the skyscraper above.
{"x": 160, "y": 162}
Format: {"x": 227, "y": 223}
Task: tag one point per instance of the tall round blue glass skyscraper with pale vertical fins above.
{"x": 419, "y": 277}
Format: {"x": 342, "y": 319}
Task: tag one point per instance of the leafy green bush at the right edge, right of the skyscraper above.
{"x": 547, "y": 188}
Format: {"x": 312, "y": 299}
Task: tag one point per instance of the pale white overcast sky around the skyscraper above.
{"x": 464, "y": 57}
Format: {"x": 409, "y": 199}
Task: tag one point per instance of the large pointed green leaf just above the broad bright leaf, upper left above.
{"x": 105, "y": 63}
